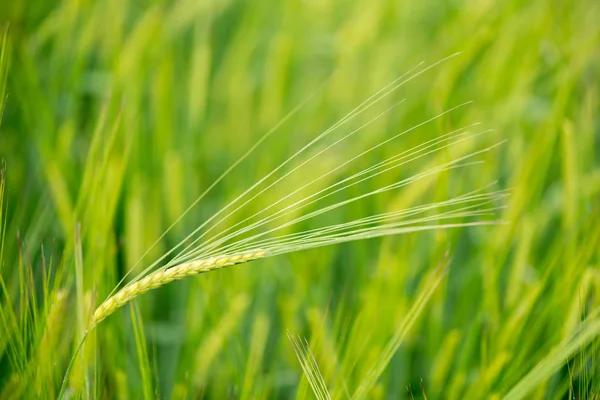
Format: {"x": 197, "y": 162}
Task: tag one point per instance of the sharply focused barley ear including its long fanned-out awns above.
{"x": 213, "y": 245}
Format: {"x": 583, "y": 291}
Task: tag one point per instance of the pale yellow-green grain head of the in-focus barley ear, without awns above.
{"x": 164, "y": 276}
